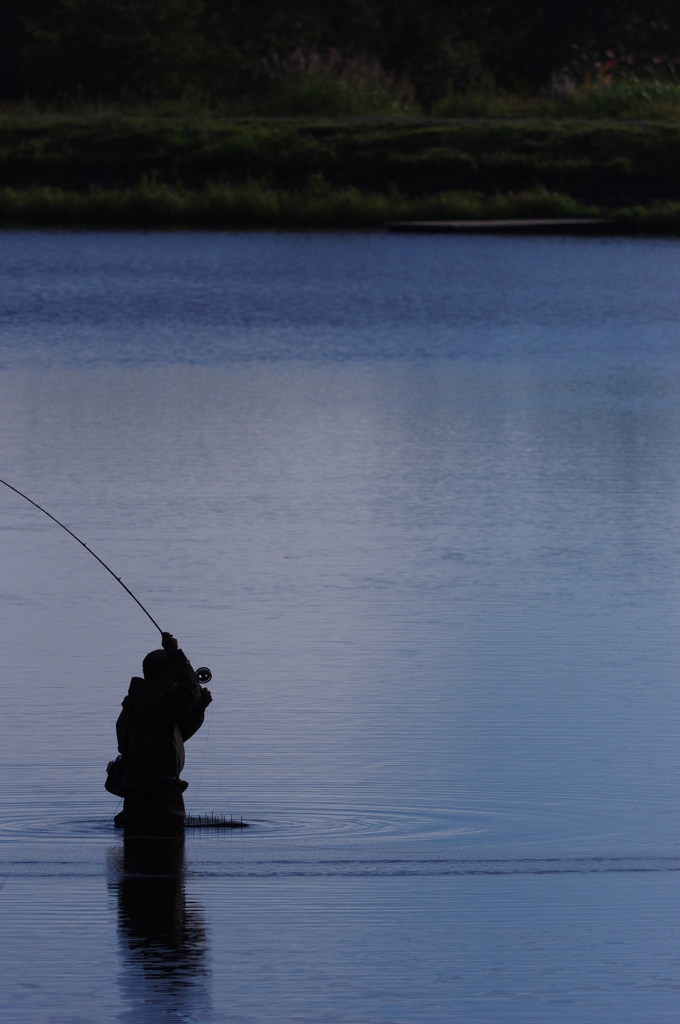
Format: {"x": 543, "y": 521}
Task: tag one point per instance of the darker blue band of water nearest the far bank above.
{"x": 192, "y": 298}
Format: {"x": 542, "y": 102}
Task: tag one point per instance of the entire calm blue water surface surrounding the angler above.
{"x": 416, "y": 502}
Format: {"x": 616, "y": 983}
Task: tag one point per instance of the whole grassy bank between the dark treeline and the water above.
{"x": 209, "y": 172}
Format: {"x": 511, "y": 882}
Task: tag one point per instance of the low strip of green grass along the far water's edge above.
{"x": 256, "y": 206}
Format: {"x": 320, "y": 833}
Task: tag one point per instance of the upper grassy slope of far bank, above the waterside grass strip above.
{"x": 604, "y": 163}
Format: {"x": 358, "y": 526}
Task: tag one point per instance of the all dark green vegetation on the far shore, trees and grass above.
{"x": 347, "y": 113}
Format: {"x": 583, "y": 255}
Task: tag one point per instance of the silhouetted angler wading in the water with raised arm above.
{"x": 160, "y": 713}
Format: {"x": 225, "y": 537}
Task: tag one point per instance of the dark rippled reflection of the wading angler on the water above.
{"x": 162, "y": 936}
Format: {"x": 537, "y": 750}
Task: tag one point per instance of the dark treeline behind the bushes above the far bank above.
{"x": 216, "y": 52}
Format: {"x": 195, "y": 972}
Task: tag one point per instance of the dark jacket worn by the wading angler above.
{"x": 153, "y": 727}
